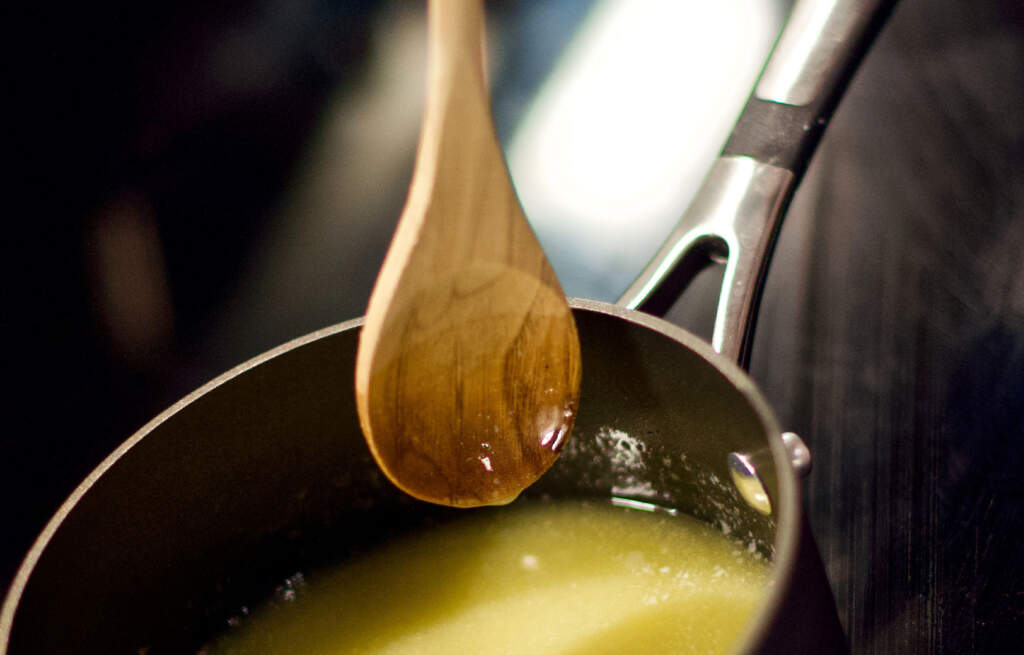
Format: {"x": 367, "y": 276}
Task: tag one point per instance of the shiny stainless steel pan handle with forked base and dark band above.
{"x": 739, "y": 210}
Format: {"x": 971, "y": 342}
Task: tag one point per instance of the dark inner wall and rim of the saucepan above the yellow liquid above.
{"x": 264, "y": 473}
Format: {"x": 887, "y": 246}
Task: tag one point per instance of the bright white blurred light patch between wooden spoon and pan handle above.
{"x": 621, "y": 135}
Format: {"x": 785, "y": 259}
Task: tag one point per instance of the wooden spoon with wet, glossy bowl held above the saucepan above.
{"x": 467, "y": 378}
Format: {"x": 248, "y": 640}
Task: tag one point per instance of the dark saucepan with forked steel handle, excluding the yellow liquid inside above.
{"x": 264, "y": 471}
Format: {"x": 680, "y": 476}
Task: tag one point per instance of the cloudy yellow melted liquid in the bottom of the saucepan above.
{"x": 564, "y": 578}
